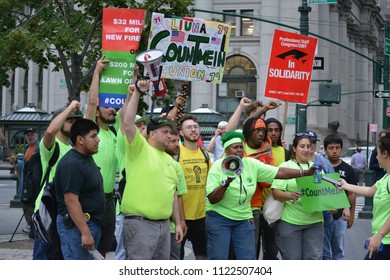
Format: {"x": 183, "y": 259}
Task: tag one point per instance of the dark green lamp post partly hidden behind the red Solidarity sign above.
{"x": 301, "y": 112}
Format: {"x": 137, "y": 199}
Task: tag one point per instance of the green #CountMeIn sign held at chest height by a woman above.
{"x": 322, "y": 196}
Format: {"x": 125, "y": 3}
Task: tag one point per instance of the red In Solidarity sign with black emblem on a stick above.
{"x": 290, "y": 67}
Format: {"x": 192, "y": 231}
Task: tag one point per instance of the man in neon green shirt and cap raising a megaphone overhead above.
{"x": 152, "y": 177}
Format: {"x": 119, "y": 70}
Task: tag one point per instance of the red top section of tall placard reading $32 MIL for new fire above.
{"x": 122, "y": 29}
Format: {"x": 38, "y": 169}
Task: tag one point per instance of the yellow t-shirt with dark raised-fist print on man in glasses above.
{"x": 195, "y": 172}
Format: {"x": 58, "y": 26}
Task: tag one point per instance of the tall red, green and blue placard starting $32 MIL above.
{"x": 121, "y": 35}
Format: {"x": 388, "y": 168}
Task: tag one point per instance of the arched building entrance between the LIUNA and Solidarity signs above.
{"x": 239, "y": 80}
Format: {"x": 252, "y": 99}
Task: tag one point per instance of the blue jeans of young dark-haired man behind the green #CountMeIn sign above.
{"x": 334, "y": 238}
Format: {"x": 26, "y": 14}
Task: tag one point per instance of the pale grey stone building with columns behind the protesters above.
{"x": 355, "y": 24}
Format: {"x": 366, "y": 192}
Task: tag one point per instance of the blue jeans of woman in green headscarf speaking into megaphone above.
{"x": 221, "y": 231}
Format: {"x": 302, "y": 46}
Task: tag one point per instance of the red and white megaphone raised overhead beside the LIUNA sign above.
{"x": 151, "y": 60}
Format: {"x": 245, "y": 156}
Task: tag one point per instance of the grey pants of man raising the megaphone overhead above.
{"x": 147, "y": 240}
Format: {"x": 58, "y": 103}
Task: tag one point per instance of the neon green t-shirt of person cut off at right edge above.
{"x": 381, "y": 209}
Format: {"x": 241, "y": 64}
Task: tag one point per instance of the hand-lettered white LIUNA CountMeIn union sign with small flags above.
{"x": 194, "y": 49}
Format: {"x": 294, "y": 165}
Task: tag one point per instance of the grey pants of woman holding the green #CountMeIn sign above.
{"x": 296, "y": 242}
